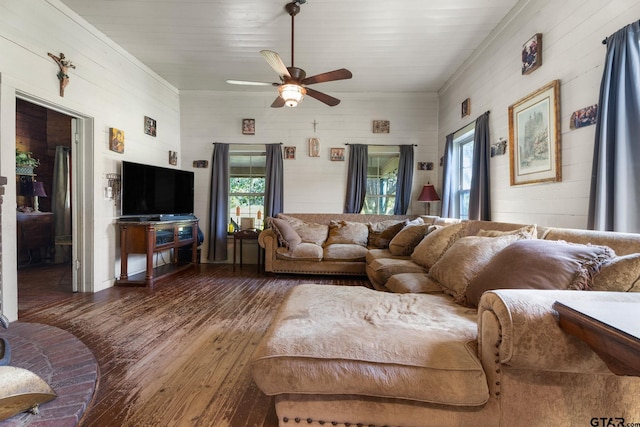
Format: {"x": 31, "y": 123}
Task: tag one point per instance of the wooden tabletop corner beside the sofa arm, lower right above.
{"x": 611, "y": 329}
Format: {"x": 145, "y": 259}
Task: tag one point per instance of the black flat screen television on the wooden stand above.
{"x": 153, "y": 192}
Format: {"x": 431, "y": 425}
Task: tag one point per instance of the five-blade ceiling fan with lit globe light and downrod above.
{"x": 293, "y": 80}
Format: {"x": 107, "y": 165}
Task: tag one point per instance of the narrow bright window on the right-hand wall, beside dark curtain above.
{"x": 463, "y": 168}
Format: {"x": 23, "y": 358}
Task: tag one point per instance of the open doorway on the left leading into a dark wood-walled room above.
{"x": 48, "y": 206}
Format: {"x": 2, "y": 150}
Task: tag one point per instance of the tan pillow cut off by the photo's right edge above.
{"x": 621, "y": 274}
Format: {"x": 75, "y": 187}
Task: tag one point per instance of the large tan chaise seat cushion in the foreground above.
{"x": 350, "y": 340}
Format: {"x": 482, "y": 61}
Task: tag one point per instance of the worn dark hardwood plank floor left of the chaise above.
{"x": 175, "y": 355}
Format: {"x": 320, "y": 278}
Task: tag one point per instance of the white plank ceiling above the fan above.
{"x": 400, "y": 46}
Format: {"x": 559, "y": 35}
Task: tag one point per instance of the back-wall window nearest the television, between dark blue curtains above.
{"x": 246, "y": 185}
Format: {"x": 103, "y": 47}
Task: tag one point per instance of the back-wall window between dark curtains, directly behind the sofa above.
{"x": 382, "y": 176}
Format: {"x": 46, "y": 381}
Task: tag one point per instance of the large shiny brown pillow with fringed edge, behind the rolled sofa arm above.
{"x": 540, "y": 264}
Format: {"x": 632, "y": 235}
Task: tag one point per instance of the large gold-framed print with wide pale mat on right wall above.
{"x": 534, "y": 137}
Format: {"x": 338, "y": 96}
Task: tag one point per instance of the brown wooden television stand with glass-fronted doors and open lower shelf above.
{"x": 149, "y": 237}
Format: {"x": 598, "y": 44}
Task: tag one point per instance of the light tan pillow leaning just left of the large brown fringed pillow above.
{"x": 465, "y": 259}
